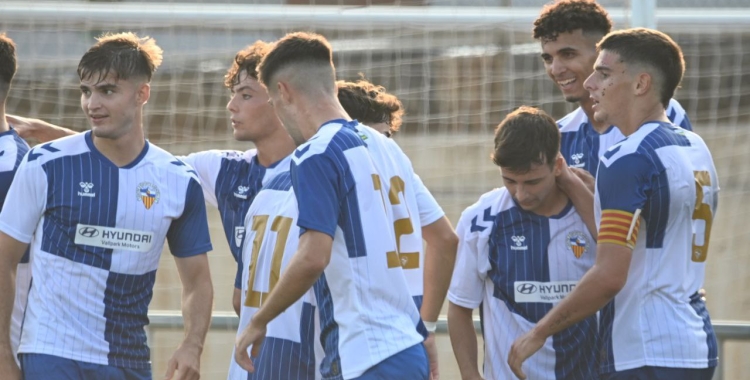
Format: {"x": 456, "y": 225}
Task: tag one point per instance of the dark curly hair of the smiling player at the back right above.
{"x": 565, "y": 16}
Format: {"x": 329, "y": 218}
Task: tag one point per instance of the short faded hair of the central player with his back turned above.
{"x": 294, "y": 48}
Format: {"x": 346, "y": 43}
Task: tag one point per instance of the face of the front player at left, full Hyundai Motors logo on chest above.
{"x": 112, "y": 105}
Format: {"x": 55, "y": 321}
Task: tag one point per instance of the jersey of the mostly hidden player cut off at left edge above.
{"x": 12, "y": 150}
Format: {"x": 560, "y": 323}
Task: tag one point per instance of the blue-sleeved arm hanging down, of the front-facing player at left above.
{"x": 189, "y": 241}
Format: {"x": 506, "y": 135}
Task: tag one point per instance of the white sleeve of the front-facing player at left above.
{"x": 25, "y": 201}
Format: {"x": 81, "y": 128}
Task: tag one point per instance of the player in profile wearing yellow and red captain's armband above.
{"x": 656, "y": 195}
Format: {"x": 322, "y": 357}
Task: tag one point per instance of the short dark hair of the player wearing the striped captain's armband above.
{"x": 652, "y": 48}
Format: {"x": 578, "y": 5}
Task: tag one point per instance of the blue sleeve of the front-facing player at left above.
{"x": 188, "y": 234}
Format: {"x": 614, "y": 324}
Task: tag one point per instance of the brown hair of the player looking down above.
{"x": 525, "y": 137}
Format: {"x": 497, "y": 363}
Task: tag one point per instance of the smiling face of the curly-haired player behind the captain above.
{"x": 569, "y": 60}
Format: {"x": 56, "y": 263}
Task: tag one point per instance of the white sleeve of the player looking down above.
{"x": 466, "y": 284}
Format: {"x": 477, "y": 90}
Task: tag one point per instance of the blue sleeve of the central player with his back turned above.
{"x": 318, "y": 187}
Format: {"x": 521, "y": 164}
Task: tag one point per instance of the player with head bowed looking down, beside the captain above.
{"x": 522, "y": 248}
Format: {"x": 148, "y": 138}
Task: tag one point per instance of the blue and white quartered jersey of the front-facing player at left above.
{"x": 96, "y": 233}
